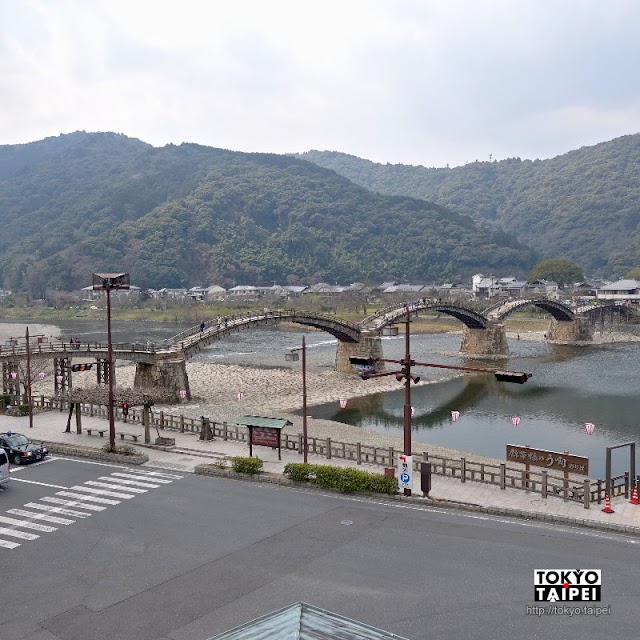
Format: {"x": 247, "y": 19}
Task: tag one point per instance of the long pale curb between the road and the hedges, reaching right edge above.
{"x": 519, "y": 514}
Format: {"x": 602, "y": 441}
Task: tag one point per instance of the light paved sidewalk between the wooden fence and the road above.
{"x": 190, "y": 452}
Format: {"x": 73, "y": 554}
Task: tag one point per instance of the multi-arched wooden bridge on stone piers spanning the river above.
{"x": 163, "y": 364}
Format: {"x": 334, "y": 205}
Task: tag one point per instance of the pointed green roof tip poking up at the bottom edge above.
{"x": 302, "y": 621}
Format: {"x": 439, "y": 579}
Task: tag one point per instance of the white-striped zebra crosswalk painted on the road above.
{"x": 80, "y": 501}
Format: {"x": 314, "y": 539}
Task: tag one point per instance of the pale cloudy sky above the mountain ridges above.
{"x": 420, "y": 82}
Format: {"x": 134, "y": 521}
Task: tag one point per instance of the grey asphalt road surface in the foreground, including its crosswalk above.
{"x": 186, "y": 557}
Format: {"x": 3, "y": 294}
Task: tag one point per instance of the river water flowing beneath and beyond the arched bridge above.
{"x": 570, "y": 387}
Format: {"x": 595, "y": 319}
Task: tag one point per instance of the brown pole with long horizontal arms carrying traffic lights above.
{"x": 405, "y": 374}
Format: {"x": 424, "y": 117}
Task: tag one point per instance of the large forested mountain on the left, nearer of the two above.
{"x": 186, "y": 215}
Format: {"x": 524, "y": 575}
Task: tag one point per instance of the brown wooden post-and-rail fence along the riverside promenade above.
{"x": 572, "y": 489}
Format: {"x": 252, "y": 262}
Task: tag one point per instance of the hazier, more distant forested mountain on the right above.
{"x": 583, "y": 205}
